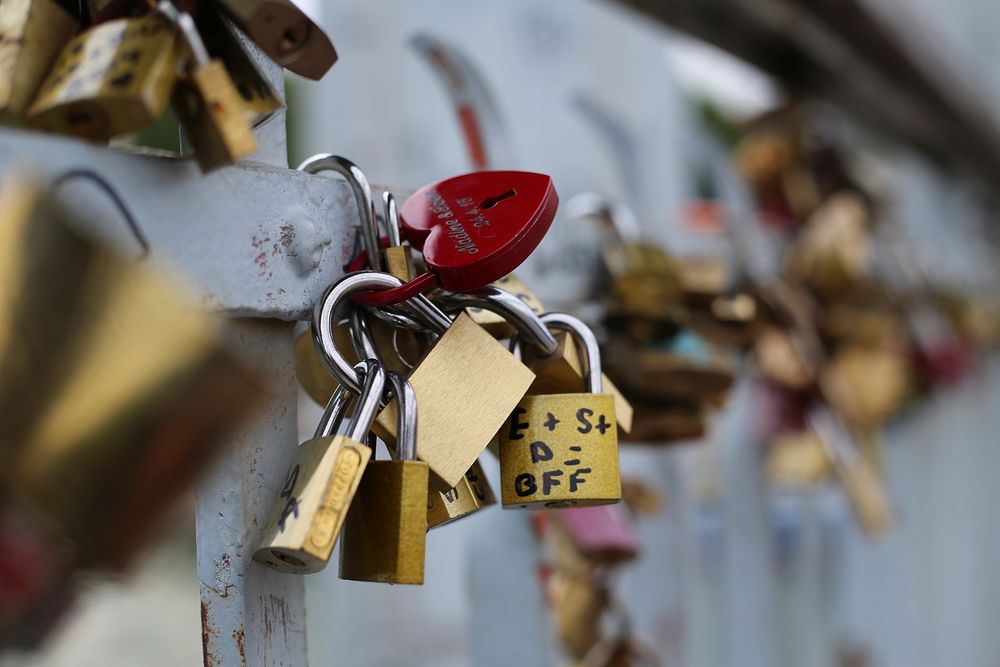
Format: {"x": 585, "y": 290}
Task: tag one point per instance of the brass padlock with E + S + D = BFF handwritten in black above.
{"x": 561, "y": 450}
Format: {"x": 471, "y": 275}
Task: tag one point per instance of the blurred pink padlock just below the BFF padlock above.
{"x": 600, "y": 532}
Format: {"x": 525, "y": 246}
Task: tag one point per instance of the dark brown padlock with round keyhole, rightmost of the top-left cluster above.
{"x": 285, "y": 33}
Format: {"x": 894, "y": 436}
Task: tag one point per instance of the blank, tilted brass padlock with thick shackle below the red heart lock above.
{"x": 464, "y": 367}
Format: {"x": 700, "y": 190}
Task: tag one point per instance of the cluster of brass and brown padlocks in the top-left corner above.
{"x": 105, "y": 69}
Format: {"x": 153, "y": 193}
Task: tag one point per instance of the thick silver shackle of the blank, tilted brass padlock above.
{"x": 325, "y": 316}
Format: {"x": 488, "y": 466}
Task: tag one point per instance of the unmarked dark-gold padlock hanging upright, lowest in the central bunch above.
{"x": 386, "y": 530}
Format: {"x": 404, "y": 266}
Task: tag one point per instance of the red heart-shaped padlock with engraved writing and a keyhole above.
{"x": 473, "y": 229}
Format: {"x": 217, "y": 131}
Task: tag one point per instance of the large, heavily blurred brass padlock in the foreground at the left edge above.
{"x": 107, "y": 422}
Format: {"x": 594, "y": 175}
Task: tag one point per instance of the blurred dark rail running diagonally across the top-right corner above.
{"x": 849, "y": 53}
